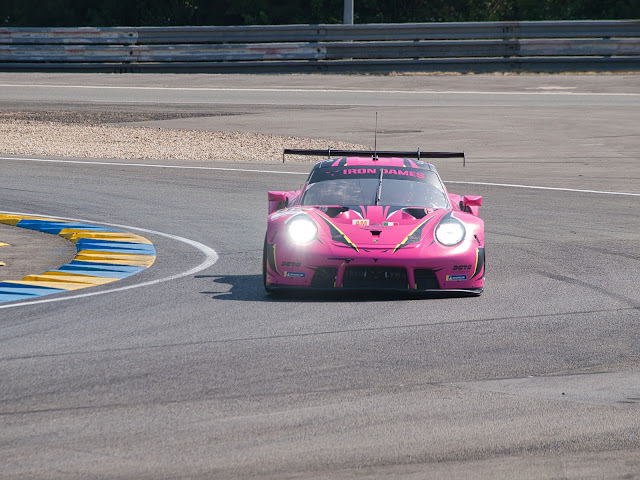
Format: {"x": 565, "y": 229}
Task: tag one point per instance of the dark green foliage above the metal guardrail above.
{"x": 104, "y": 13}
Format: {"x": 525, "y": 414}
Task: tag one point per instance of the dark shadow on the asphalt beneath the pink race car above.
{"x": 249, "y": 288}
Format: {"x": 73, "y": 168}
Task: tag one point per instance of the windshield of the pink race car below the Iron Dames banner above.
{"x": 404, "y": 187}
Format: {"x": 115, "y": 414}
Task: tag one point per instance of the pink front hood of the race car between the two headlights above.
{"x": 375, "y": 227}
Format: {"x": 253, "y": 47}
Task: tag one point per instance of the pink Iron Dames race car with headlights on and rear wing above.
{"x": 374, "y": 221}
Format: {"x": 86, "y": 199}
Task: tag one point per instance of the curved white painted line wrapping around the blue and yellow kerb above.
{"x": 210, "y": 254}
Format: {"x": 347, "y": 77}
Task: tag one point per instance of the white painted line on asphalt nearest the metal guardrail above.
{"x": 323, "y": 90}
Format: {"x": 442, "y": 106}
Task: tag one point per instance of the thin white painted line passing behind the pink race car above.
{"x": 279, "y": 172}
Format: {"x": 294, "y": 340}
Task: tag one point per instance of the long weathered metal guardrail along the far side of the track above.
{"x": 567, "y": 45}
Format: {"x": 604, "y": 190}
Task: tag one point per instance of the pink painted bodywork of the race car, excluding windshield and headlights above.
{"x": 363, "y": 240}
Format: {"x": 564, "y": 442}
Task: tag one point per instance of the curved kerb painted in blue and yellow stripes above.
{"x": 104, "y": 255}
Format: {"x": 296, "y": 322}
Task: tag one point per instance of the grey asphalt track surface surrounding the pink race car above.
{"x": 184, "y": 373}
